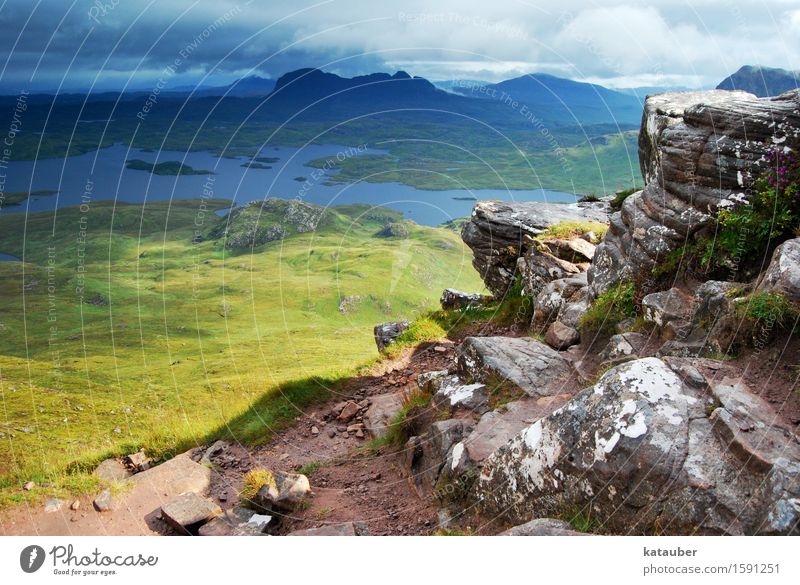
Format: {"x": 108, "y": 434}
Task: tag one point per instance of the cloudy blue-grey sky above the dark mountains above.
{"x": 141, "y": 44}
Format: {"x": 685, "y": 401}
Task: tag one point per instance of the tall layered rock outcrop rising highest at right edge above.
{"x": 695, "y": 149}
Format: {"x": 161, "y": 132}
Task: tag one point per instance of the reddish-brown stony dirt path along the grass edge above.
{"x": 349, "y": 482}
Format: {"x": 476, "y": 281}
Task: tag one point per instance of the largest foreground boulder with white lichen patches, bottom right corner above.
{"x": 651, "y": 448}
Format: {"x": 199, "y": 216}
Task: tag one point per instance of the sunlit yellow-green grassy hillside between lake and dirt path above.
{"x": 132, "y": 325}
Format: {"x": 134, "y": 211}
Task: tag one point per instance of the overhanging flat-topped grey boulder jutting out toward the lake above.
{"x": 499, "y": 233}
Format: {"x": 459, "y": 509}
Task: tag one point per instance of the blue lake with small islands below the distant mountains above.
{"x": 102, "y": 175}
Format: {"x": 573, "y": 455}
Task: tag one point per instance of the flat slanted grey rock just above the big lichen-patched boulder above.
{"x": 523, "y": 362}
